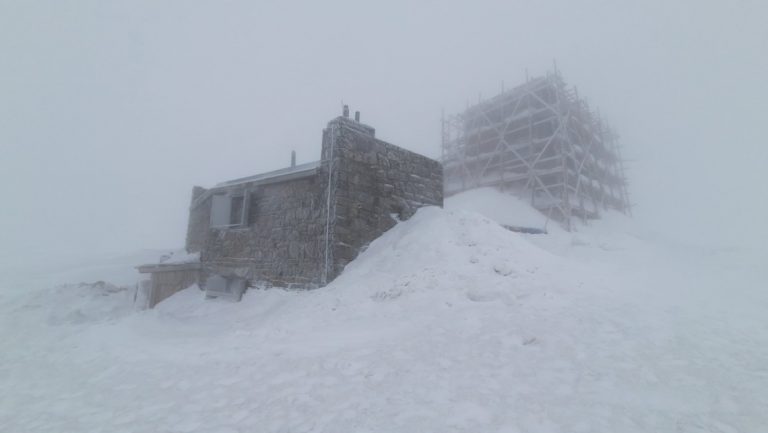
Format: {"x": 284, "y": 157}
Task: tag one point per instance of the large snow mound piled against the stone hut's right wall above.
{"x": 455, "y": 251}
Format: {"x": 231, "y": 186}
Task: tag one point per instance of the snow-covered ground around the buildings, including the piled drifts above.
{"x": 447, "y": 323}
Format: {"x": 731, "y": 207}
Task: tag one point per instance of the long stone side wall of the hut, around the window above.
{"x": 282, "y": 243}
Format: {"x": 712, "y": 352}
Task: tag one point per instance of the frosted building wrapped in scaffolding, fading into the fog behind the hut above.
{"x": 542, "y": 141}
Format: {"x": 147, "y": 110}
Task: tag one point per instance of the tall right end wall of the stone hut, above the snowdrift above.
{"x": 375, "y": 184}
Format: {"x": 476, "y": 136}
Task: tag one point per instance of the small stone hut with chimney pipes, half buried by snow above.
{"x": 298, "y": 227}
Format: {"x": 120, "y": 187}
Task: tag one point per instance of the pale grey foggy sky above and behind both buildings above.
{"x": 111, "y": 111}
